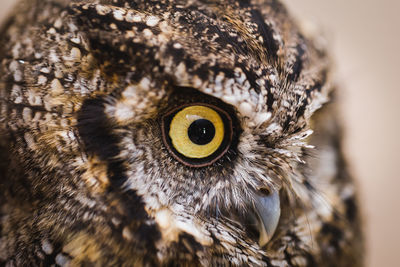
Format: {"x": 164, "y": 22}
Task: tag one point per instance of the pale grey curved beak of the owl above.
{"x": 268, "y": 210}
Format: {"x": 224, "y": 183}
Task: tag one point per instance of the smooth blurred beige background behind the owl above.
{"x": 364, "y": 38}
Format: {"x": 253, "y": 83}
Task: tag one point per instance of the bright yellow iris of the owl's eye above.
{"x": 180, "y": 126}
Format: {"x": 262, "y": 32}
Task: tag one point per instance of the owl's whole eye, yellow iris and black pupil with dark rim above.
{"x": 198, "y": 134}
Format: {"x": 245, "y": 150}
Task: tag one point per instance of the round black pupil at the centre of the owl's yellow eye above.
{"x": 201, "y": 132}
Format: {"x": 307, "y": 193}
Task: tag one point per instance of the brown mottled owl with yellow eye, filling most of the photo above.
{"x": 170, "y": 133}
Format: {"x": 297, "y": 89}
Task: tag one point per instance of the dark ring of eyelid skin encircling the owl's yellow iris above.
{"x": 208, "y": 159}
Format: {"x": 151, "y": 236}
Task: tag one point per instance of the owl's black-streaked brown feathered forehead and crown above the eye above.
{"x": 247, "y": 53}
